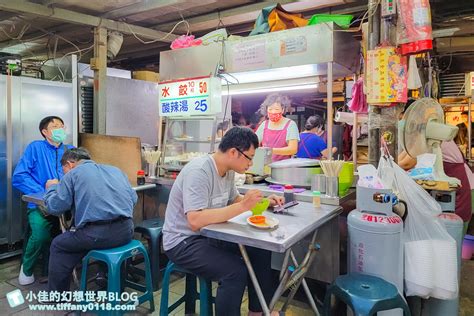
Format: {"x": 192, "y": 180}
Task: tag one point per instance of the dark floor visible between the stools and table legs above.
{"x": 9, "y": 272}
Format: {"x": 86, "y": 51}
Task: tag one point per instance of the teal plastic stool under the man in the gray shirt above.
{"x": 191, "y": 295}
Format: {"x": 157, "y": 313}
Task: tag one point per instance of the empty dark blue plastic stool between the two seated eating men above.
{"x": 151, "y": 229}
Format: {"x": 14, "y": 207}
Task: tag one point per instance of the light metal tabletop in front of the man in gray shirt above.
{"x": 294, "y": 225}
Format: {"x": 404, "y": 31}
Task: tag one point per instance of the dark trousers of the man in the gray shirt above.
{"x": 222, "y": 262}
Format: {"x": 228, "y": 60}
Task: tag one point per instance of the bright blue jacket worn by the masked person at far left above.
{"x": 40, "y": 162}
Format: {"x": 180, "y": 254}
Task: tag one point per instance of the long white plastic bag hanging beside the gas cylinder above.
{"x": 431, "y": 267}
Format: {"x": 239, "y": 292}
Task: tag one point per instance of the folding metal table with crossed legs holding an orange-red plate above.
{"x": 294, "y": 225}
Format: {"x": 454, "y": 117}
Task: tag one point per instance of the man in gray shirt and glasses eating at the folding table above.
{"x": 204, "y": 193}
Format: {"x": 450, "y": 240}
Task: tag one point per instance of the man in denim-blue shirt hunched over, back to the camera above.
{"x": 102, "y": 200}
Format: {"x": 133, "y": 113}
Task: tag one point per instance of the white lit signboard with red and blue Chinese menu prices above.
{"x": 190, "y": 97}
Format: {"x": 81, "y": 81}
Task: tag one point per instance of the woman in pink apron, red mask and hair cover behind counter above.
{"x": 278, "y": 132}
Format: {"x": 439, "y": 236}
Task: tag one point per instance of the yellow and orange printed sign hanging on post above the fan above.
{"x": 386, "y": 76}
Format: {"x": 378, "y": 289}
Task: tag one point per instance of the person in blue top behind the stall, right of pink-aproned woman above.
{"x": 311, "y": 144}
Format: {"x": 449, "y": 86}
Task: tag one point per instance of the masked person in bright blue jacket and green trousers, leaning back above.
{"x": 40, "y": 162}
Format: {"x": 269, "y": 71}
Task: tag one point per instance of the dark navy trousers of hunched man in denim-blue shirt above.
{"x": 68, "y": 249}
